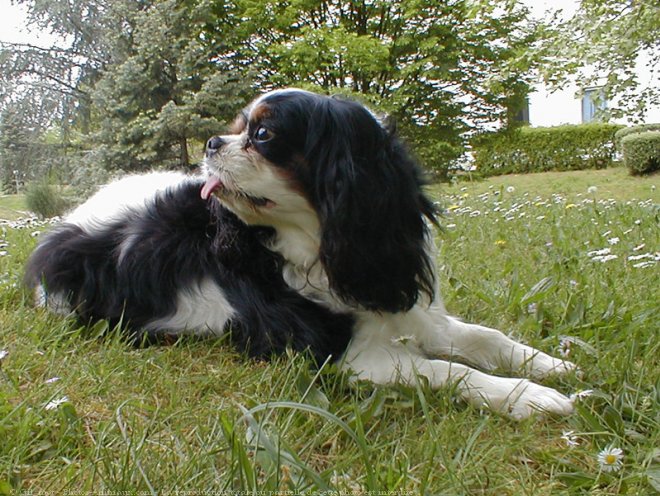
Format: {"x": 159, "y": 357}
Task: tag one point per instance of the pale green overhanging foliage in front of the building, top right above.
{"x": 600, "y": 46}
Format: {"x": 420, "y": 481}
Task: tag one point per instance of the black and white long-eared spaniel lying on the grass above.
{"x": 308, "y": 228}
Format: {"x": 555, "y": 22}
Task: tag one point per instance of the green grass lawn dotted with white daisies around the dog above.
{"x": 78, "y": 413}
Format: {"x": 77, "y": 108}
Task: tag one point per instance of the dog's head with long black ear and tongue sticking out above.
{"x": 327, "y": 166}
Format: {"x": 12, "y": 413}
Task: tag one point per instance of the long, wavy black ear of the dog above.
{"x": 367, "y": 189}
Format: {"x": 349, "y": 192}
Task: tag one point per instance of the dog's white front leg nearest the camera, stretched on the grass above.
{"x": 515, "y": 398}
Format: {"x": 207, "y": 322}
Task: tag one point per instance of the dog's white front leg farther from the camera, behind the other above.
{"x": 488, "y": 348}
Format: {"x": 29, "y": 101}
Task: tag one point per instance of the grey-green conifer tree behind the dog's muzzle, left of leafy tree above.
{"x": 171, "y": 89}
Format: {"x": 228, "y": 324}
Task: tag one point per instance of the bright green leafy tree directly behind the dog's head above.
{"x": 443, "y": 69}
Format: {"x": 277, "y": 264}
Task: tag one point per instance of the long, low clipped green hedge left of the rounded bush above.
{"x": 538, "y": 149}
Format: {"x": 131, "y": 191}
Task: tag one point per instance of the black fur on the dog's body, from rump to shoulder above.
{"x": 179, "y": 241}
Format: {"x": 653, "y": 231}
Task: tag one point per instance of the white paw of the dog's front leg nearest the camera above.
{"x": 520, "y": 398}
